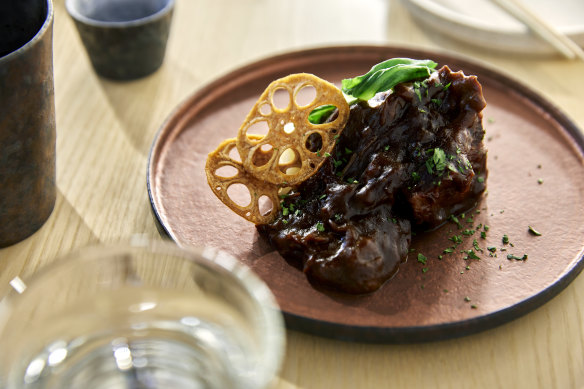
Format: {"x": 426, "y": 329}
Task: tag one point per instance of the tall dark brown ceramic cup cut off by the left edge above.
{"x": 27, "y": 118}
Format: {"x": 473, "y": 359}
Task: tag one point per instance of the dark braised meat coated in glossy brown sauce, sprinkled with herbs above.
{"x": 406, "y": 161}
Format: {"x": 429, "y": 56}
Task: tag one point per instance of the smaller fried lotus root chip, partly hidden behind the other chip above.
{"x": 232, "y": 184}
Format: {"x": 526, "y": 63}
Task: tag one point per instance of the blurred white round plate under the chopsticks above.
{"x": 482, "y": 23}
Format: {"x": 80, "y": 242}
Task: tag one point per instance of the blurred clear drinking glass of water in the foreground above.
{"x": 139, "y": 316}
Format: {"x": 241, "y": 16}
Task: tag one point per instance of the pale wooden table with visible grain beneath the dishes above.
{"x": 105, "y": 130}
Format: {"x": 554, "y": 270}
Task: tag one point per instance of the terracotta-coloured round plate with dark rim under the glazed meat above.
{"x": 528, "y": 140}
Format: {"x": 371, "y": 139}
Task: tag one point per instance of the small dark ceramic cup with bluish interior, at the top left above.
{"x": 125, "y": 39}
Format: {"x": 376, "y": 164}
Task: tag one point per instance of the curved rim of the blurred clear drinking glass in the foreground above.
{"x": 218, "y": 260}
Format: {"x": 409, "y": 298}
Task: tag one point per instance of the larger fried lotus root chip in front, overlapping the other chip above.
{"x": 293, "y": 148}
